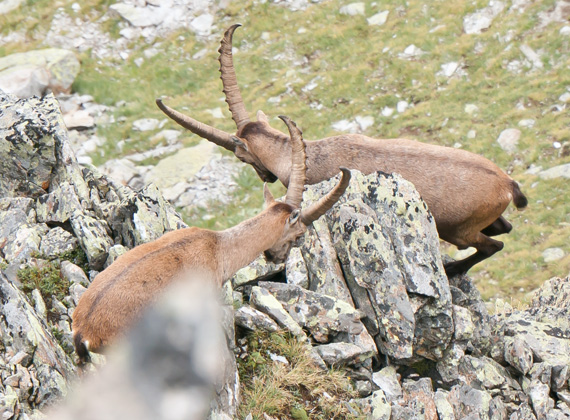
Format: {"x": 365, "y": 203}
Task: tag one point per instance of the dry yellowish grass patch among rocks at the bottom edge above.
{"x": 296, "y": 390}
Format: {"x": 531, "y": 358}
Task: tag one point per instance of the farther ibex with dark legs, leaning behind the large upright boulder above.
{"x": 465, "y": 192}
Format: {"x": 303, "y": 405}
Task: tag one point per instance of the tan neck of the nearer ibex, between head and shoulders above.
{"x": 241, "y": 244}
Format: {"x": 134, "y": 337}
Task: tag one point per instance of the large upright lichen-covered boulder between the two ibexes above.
{"x": 388, "y": 247}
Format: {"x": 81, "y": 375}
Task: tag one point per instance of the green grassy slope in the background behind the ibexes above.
{"x": 358, "y": 72}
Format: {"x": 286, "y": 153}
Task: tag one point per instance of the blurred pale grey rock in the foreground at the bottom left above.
{"x": 171, "y": 365}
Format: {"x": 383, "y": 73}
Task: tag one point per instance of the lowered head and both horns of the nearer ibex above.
{"x": 299, "y": 219}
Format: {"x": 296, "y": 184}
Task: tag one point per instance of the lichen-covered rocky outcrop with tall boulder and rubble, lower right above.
{"x": 375, "y": 299}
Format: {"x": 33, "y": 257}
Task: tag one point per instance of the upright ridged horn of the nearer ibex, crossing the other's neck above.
{"x": 297, "y": 176}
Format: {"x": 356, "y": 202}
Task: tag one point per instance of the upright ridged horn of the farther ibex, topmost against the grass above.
{"x": 229, "y": 79}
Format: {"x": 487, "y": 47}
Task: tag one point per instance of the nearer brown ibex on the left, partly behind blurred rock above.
{"x": 119, "y": 293}
